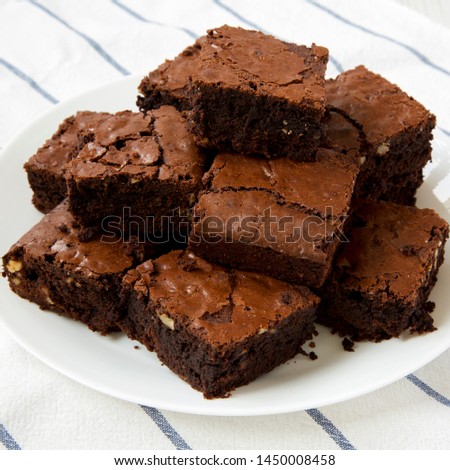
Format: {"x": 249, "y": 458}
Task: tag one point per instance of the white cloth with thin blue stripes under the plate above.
{"x": 52, "y": 50}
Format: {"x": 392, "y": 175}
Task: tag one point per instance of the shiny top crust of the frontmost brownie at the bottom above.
{"x": 222, "y": 305}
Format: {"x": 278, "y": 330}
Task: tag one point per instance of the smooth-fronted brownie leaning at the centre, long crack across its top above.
{"x": 279, "y": 217}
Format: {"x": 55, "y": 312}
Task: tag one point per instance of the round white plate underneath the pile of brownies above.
{"x": 112, "y": 365}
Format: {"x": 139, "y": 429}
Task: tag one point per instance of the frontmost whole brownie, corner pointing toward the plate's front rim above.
{"x": 216, "y": 328}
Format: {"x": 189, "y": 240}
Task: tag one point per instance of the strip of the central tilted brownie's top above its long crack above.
{"x": 313, "y": 187}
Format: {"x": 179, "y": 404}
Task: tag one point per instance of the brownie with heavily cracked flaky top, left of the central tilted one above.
{"x": 138, "y": 173}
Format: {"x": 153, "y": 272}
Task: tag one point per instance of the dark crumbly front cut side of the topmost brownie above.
{"x": 273, "y": 127}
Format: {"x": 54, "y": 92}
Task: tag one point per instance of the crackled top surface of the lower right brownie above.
{"x": 393, "y": 248}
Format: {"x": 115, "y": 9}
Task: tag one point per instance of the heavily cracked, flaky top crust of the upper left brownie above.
{"x": 156, "y": 145}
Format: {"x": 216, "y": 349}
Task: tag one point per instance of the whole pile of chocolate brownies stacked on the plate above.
{"x": 248, "y": 198}
